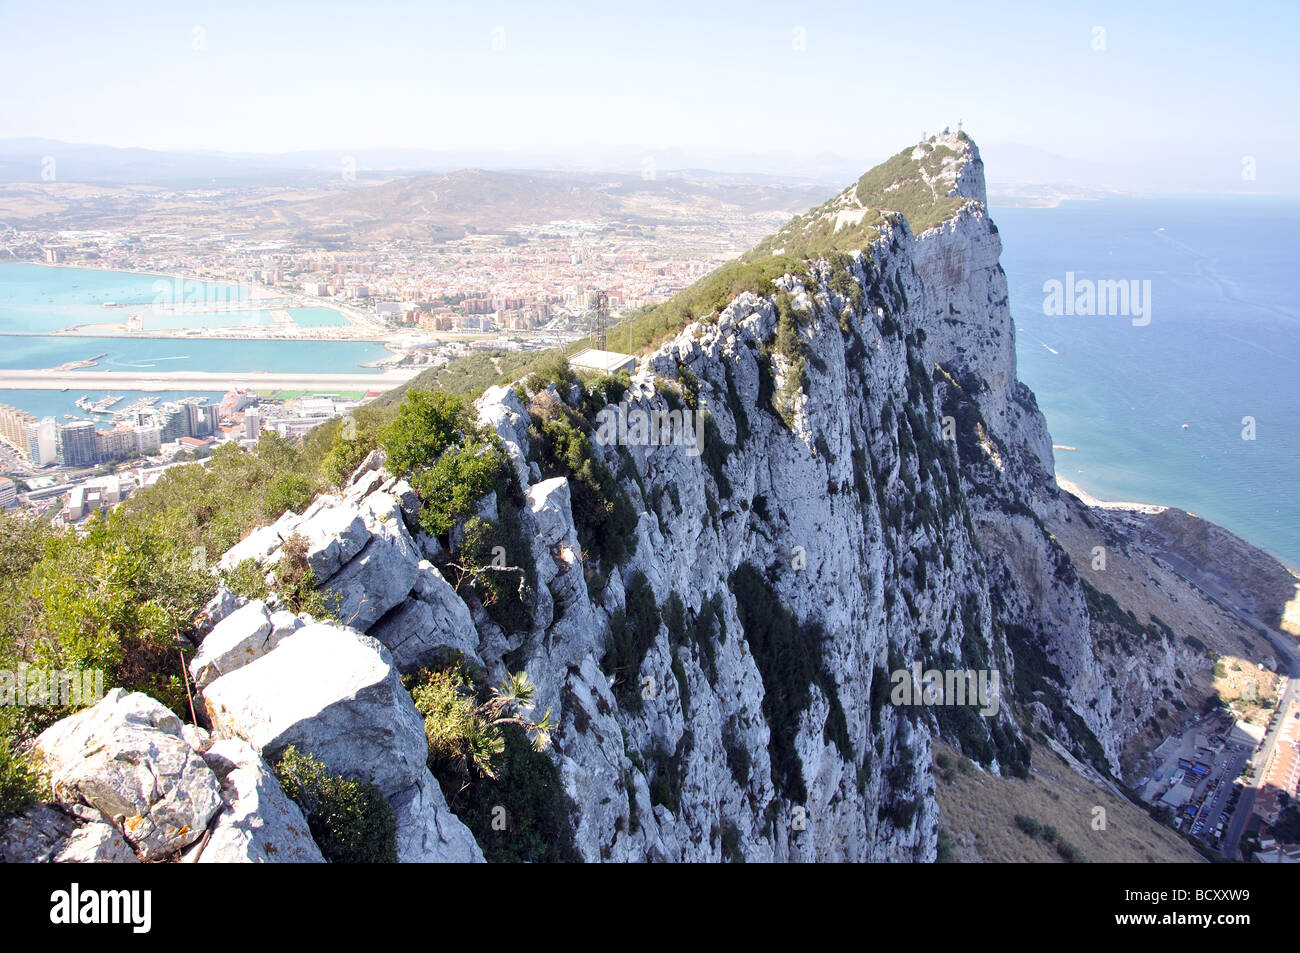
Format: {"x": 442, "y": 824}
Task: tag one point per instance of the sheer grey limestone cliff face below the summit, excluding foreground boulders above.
{"x": 896, "y": 513}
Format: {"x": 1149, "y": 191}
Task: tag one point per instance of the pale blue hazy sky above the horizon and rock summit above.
{"x": 567, "y": 79}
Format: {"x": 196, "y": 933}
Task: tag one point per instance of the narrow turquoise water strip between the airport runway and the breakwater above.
{"x": 31, "y": 353}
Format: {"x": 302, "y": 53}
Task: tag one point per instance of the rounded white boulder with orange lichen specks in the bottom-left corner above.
{"x": 127, "y": 759}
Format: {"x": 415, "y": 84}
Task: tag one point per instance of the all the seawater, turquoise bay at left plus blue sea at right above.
{"x": 1194, "y": 404}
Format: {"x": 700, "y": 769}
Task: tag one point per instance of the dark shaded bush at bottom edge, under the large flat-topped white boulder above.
{"x": 349, "y": 820}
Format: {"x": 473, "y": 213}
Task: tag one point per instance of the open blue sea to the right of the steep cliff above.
{"x": 1224, "y": 344}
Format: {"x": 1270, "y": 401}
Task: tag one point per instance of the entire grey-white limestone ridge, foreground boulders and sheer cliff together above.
{"x": 870, "y": 499}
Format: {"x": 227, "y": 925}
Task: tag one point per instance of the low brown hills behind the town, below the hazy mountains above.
{"x": 443, "y": 206}
